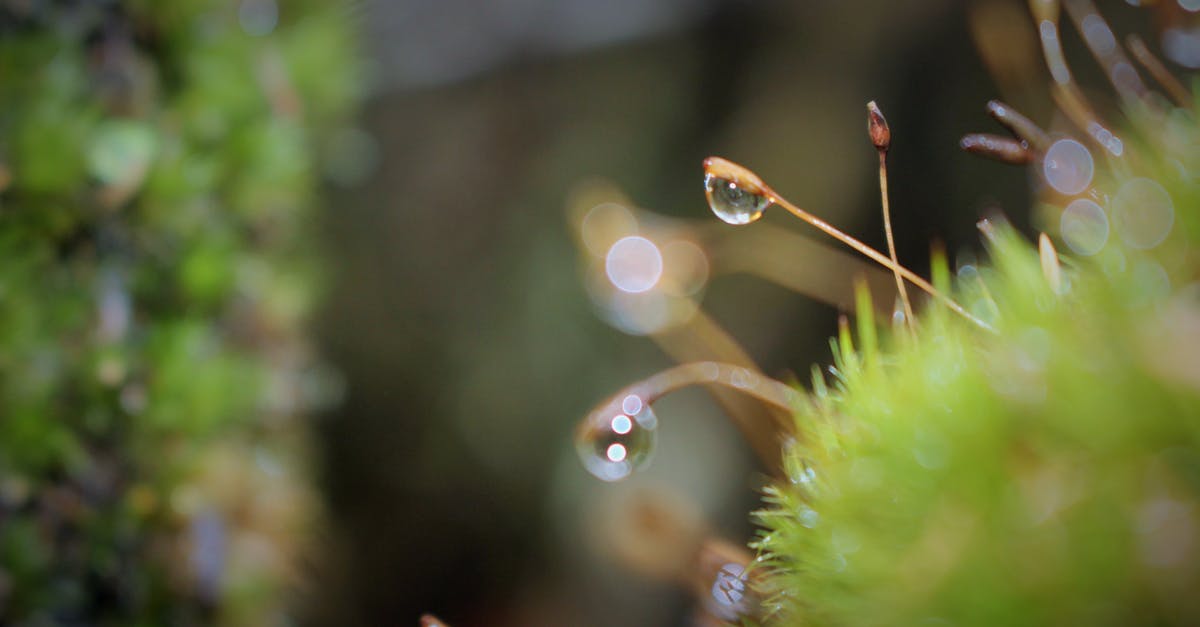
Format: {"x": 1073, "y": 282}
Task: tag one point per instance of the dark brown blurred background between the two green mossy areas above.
{"x": 458, "y": 314}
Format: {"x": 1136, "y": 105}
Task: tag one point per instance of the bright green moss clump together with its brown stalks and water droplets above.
{"x": 1024, "y": 449}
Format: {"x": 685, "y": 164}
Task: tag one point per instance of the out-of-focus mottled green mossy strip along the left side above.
{"x": 159, "y": 176}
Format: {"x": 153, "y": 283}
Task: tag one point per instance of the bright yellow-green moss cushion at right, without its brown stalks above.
{"x": 1048, "y": 474}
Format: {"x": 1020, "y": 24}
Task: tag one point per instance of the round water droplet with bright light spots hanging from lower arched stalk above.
{"x": 616, "y": 441}
